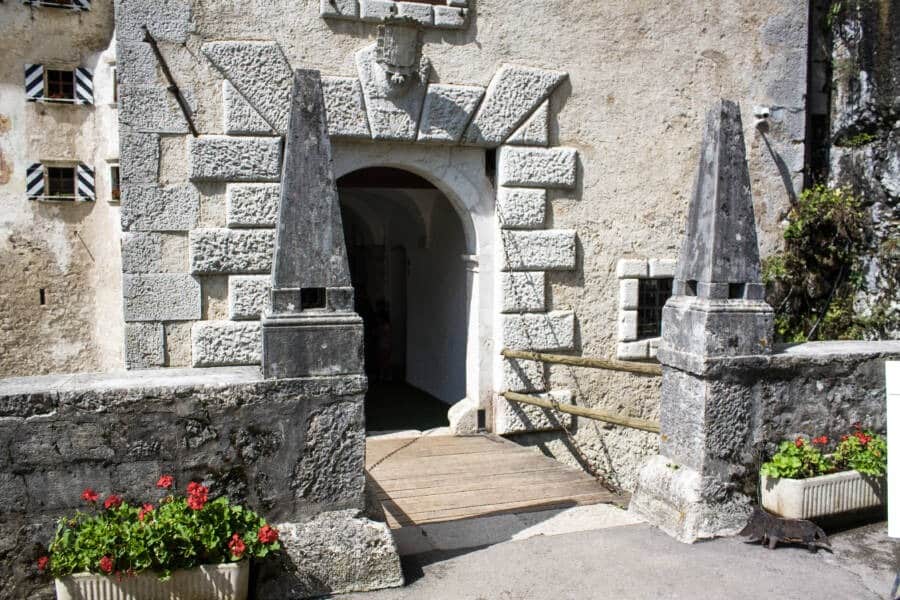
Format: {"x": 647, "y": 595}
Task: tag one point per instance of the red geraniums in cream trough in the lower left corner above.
{"x": 182, "y": 547}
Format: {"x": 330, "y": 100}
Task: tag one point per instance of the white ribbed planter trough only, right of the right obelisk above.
{"x": 819, "y": 496}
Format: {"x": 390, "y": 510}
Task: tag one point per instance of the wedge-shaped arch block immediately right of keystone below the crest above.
{"x": 447, "y": 111}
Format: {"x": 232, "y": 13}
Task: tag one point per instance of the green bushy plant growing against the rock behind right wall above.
{"x": 817, "y": 283}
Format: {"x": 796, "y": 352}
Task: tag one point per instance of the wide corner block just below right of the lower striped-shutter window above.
{"x": 151, "y": 208}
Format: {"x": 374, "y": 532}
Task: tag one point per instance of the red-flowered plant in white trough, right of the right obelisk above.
{"x": 804, "y": 481}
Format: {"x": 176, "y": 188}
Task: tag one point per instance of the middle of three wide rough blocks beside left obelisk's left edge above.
{"x": 224, "y": 251}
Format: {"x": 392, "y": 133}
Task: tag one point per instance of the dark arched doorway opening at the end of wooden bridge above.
{"x": 406, "y": 248}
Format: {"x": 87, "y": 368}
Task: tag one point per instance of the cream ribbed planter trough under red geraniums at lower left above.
{"x": 206, "y": 582}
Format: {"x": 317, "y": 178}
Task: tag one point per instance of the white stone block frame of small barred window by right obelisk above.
{"x": 629, "y": 272}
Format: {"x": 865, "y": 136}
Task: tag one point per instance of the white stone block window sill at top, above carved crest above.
{"x": 448, "y": 14}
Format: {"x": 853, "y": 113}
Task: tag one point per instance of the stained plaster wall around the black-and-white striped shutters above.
{"x": 71, "y": 250}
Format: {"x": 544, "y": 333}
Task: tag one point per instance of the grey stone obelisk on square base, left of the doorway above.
{"x": 311, "y": 328}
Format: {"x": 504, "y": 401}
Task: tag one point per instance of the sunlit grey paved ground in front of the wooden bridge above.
{"x": 638, "y": 561}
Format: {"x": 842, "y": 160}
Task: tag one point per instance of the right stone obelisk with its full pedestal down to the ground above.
{"x": 716, "y": 320}
